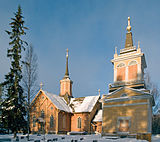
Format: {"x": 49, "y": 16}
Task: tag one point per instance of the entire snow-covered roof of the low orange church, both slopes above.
{"x": 82, "y": 104}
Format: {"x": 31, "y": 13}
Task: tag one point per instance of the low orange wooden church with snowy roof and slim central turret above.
{"x": 64, "y": 113}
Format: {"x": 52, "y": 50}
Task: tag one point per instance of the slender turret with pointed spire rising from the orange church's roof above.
{"x": 66, "y": 83}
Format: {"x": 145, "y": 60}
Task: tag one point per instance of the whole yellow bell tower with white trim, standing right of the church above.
{"x": 127, "y": 108}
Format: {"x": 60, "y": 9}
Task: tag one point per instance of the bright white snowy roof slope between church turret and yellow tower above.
{"x": 84, "y": 104}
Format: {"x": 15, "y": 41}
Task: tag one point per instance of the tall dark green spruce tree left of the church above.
{"x": 14, "y": 111}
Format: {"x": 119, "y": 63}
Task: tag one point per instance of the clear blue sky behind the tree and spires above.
{"x": 90, "y": 29}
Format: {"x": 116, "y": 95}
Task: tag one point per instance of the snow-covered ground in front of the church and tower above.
{"x": 72, "y": 138}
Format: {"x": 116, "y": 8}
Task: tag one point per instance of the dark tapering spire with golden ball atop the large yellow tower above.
{"x": 129, "y": 41}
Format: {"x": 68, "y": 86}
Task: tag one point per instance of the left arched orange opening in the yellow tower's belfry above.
{"x": 121, "y": 72}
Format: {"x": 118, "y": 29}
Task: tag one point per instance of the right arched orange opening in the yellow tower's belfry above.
{"x": 132, "y": 70}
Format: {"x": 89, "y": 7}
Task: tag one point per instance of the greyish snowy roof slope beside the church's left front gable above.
{"x": 58, "y": 101}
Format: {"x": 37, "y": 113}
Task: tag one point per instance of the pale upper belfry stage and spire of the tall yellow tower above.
{"x": 129, "y": 65}
